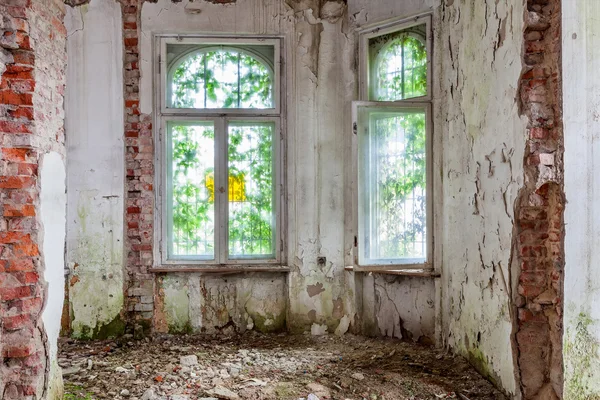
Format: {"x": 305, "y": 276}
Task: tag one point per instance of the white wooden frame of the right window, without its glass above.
{"x": 422, "y": 102}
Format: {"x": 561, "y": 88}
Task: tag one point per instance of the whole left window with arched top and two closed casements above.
{"x": 221, "y": 180}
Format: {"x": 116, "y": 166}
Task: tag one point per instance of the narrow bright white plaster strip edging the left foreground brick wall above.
{"x": 53, "y": 205}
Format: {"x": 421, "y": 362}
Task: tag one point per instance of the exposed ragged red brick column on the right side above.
{"x": 540, "y": 208}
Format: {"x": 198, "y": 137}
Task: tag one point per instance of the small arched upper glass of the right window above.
{"x": 399, "y": 68}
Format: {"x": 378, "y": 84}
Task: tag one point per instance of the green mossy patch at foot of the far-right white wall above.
{"x": 582, "y": 366}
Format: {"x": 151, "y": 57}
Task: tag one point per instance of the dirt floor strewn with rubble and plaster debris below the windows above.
{"x": 255, "y": 366}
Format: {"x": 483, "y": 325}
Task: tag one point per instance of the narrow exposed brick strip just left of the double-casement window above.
{"x": 139, "y": 161}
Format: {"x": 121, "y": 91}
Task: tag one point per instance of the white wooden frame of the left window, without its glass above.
{"x": 221, "y": 118}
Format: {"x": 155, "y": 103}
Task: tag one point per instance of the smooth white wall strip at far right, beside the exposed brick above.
{"x": 581, "y": 108}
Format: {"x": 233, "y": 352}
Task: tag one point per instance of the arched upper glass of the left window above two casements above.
{"x": 220, "y": 77}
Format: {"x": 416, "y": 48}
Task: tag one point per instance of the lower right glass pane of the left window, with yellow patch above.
{"x": 251, "y": 191}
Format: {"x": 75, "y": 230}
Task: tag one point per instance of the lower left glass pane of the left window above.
{"x": 190, "y": 193}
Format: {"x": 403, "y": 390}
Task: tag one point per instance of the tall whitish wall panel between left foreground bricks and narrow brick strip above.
{"x": 95, "y": 169}
